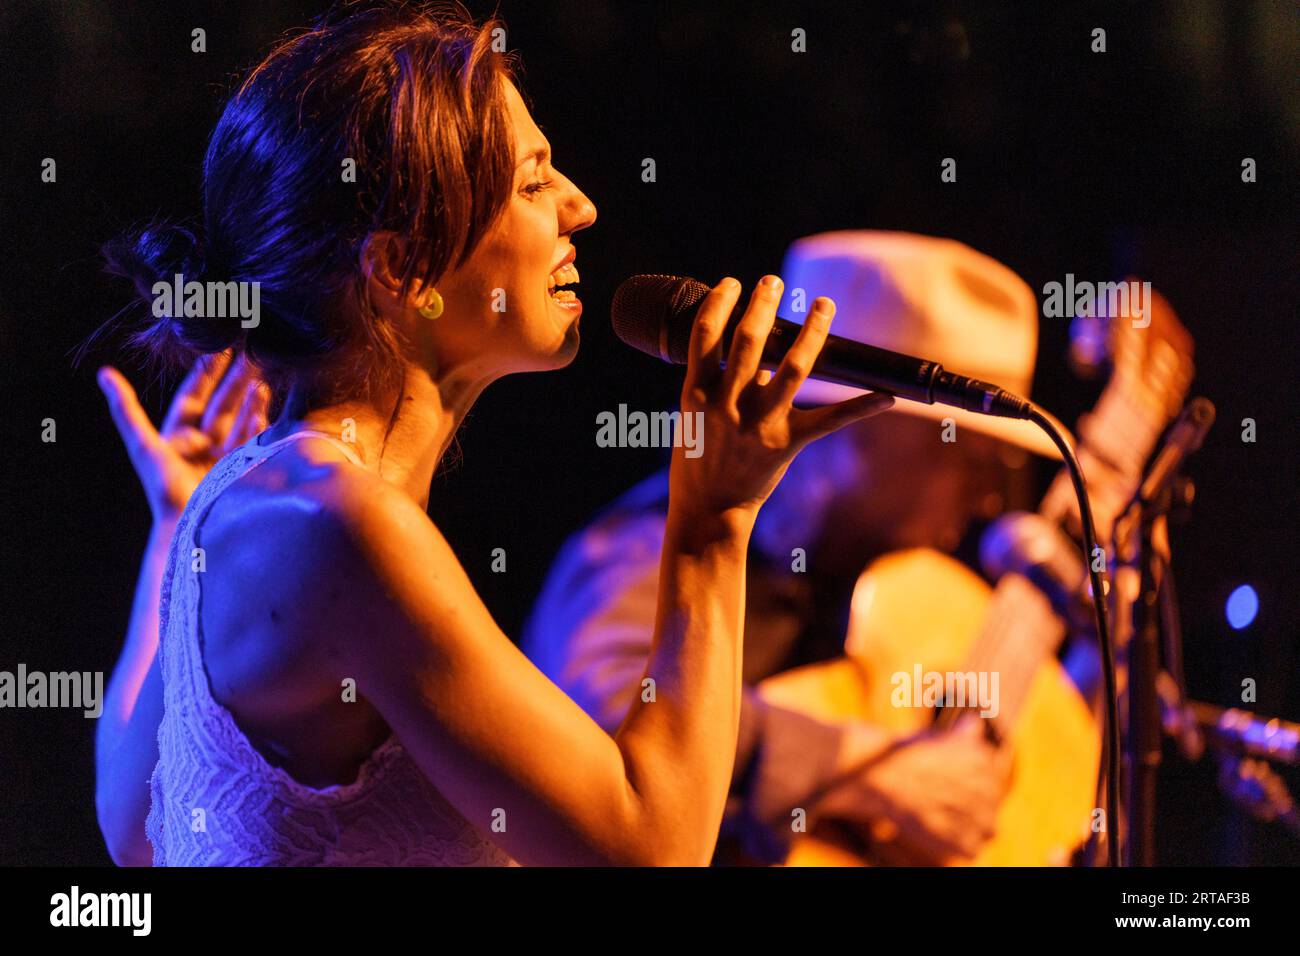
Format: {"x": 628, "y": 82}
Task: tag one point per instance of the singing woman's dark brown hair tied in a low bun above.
{"x": 411, "y": 94}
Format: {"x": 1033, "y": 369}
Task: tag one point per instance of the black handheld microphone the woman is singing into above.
{"x": 656, "y": 314}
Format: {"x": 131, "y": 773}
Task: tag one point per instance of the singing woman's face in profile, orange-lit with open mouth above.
{"x": 505, "y": 309}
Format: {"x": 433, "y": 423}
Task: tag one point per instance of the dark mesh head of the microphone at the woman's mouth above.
{"x": 656, "y": 314}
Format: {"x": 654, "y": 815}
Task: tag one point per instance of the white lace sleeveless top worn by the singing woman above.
{"x": 216, "y": 802}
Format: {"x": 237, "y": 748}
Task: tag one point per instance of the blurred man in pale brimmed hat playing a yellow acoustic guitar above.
{"x": 824, "y": 751}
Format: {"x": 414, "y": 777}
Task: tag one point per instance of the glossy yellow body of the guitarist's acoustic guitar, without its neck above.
{"x": 924, "y": 608}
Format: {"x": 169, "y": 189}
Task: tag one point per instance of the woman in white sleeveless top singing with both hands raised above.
{"x": 310, "y": 677}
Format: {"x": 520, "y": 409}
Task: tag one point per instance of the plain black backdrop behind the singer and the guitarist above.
{"x": 1068, "y": 162}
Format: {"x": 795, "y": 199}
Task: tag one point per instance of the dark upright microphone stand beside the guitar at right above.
{"x": 1142, "y": 550}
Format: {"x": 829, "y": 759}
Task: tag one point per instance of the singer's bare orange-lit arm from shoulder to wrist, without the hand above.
{"x": 496, "y": 737}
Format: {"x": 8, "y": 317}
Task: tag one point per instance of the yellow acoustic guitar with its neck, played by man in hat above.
{"x": 924, "y": 611}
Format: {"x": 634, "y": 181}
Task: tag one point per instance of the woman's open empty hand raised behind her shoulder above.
{"x": 219, "y": 406}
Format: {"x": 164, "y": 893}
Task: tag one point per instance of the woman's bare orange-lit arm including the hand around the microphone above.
{"x": 495, "y": 736}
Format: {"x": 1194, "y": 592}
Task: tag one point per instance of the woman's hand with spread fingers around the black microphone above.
{"x": 751, "y": 429}
